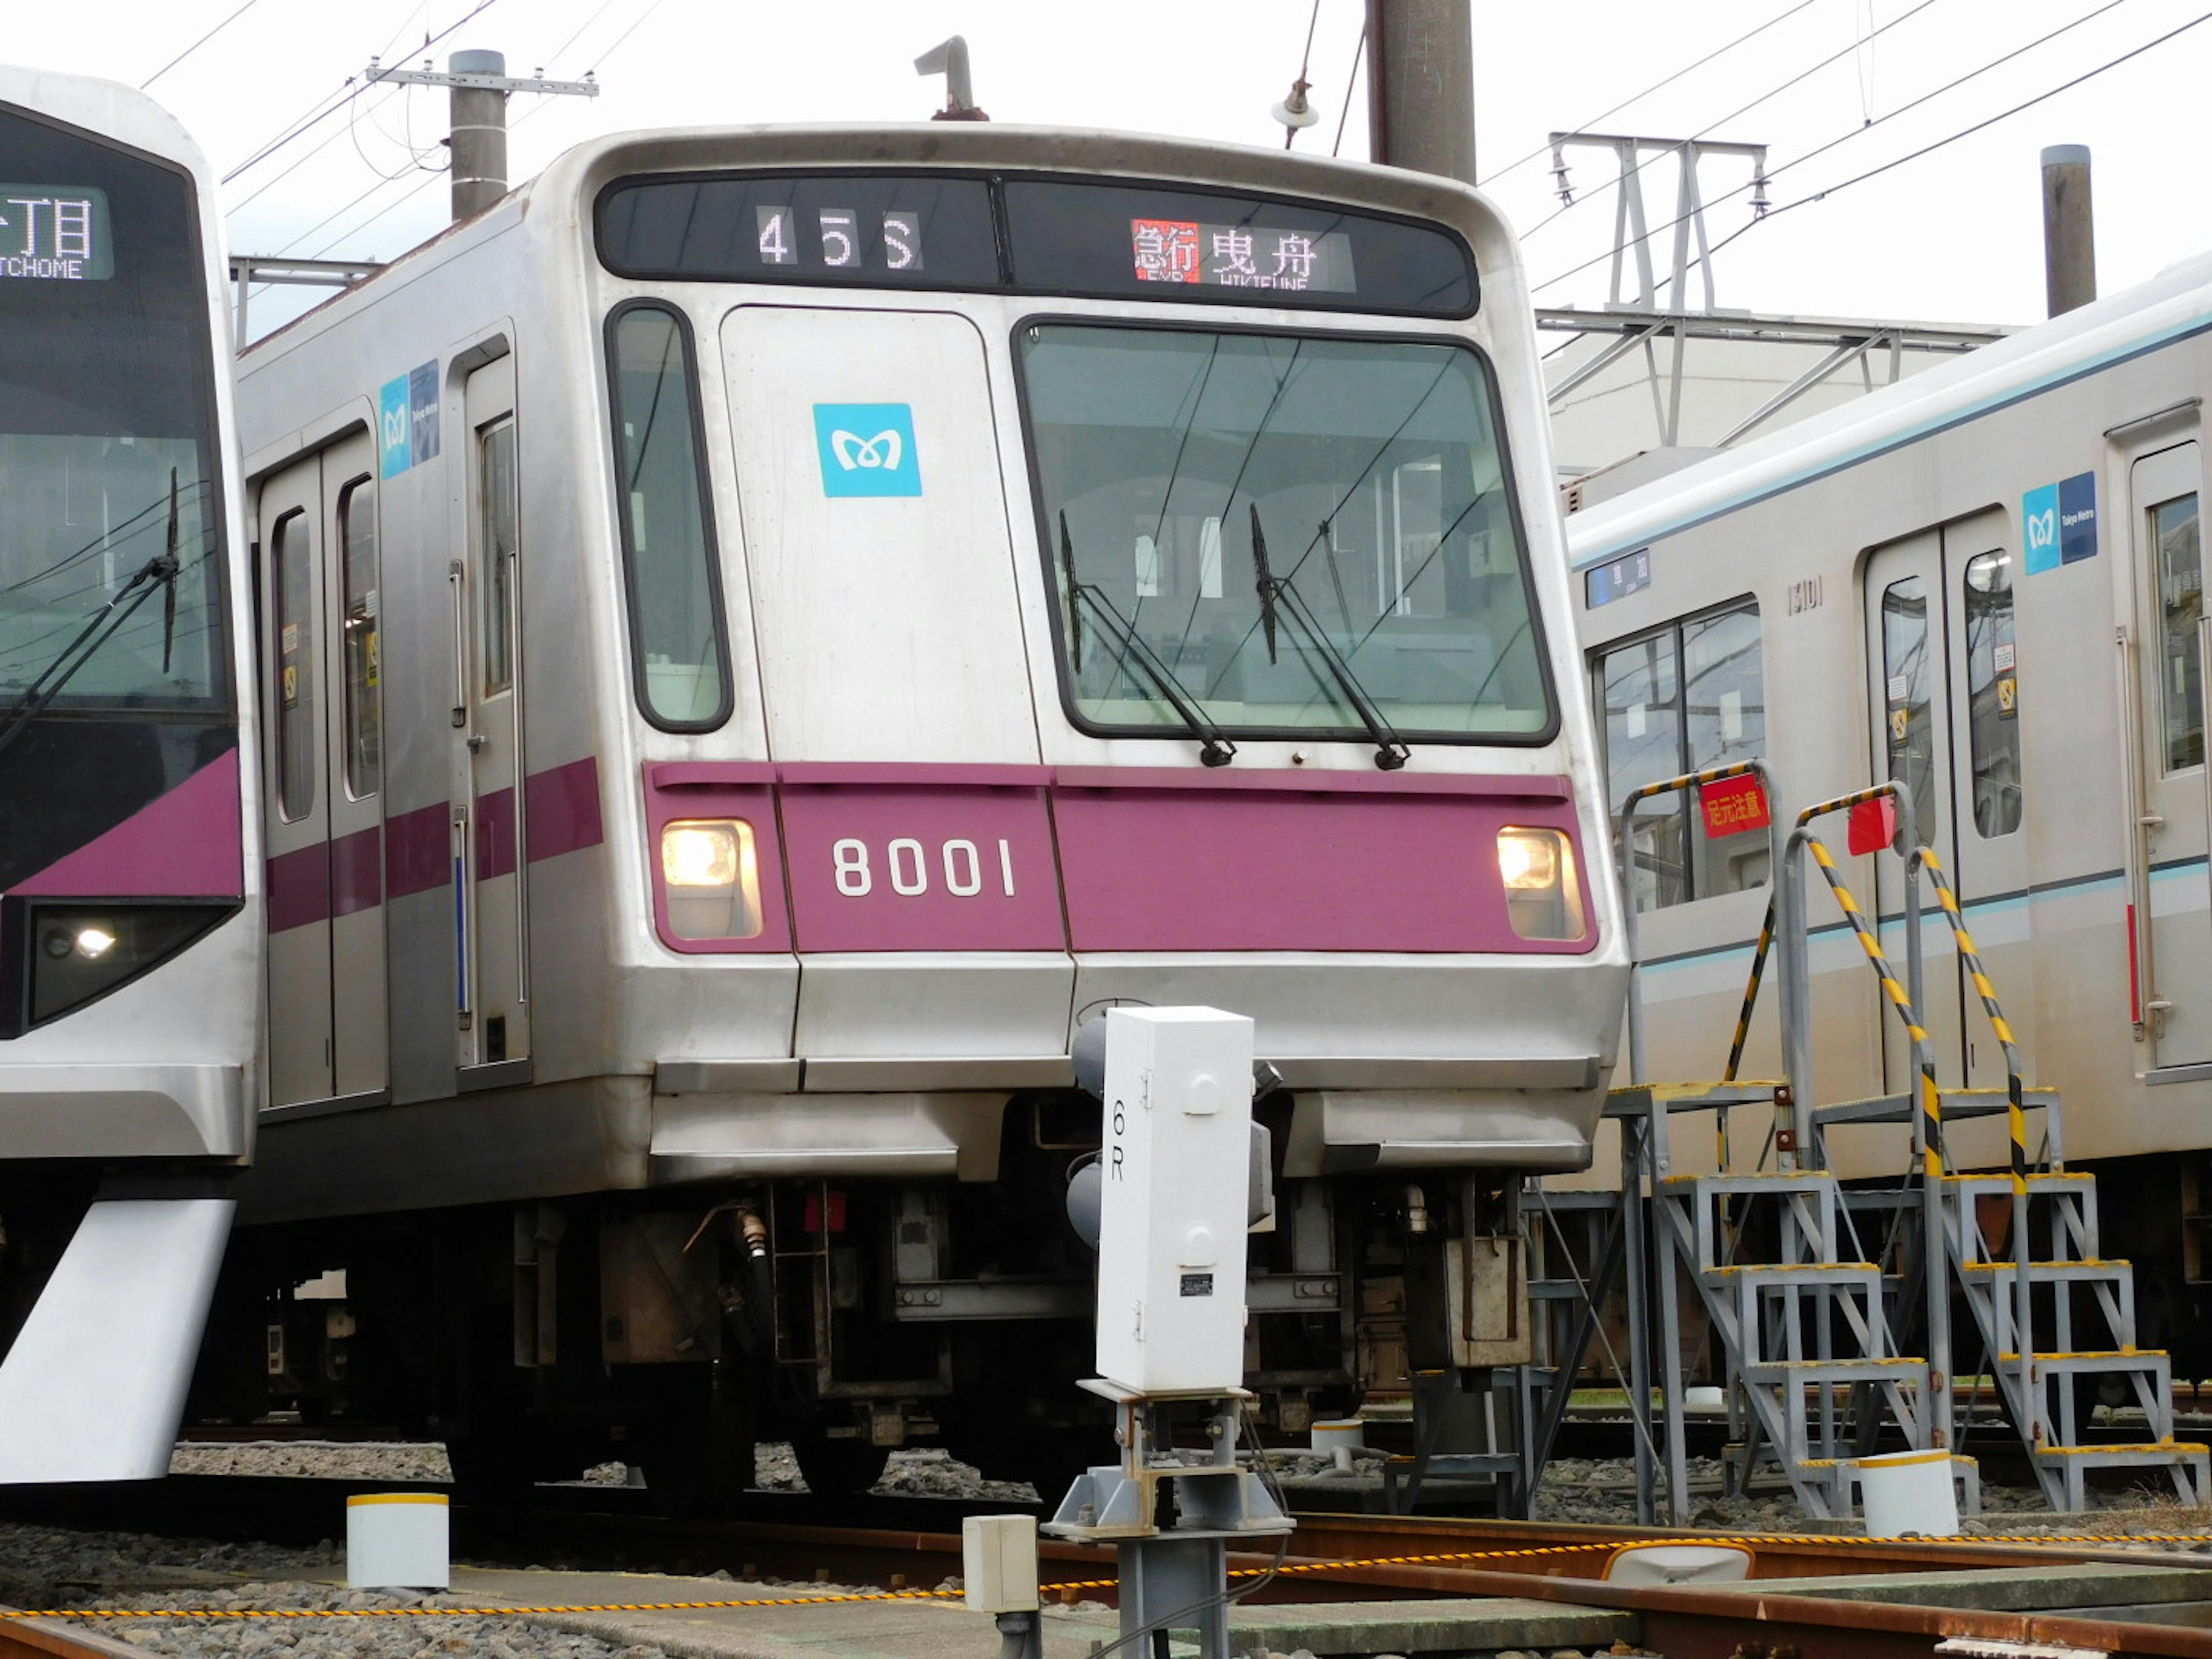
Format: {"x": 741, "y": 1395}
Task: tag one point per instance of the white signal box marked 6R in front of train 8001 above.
{"x": 1173, "y": 1200}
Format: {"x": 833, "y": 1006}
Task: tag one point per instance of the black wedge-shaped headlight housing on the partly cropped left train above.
{"x": 61, "y": 954}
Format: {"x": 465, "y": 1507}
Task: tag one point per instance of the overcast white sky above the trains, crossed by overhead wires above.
{"x": 1950, "y": 238}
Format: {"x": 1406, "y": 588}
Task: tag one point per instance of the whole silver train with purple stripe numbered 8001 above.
{"x": 771, "y": 632}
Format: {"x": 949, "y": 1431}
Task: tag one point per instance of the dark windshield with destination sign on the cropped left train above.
{"x": 109, "y": 472}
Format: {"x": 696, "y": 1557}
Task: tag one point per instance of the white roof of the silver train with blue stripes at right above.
{"x": 2096, "y": 337}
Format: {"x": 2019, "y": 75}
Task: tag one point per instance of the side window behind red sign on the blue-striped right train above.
{"x": 1684, "y": 700}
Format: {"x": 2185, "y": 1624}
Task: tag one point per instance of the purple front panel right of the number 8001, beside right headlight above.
{"x": 1169, "y": 870}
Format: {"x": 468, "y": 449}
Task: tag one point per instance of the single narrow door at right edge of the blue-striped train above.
{"x": 2176, "y": 972}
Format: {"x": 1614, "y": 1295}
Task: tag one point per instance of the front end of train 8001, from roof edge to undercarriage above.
{"x": 1072, "y": 572}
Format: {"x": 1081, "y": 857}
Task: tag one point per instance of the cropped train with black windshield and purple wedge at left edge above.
{"x": 129, "y": 833}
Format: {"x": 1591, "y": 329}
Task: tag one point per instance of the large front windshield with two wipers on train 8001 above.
{"x": 1271, "y": 517}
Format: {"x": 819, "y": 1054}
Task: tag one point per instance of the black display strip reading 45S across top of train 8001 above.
{"x": 1034, "y": 236}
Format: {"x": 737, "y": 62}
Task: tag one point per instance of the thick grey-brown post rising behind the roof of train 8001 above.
{"x": 1421, "y": 87}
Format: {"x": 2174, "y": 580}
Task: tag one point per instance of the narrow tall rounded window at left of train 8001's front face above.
{"x": 667, "y": 530}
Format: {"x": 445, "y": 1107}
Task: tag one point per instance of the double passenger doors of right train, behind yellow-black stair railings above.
{"x": 1945, "y": 707}
